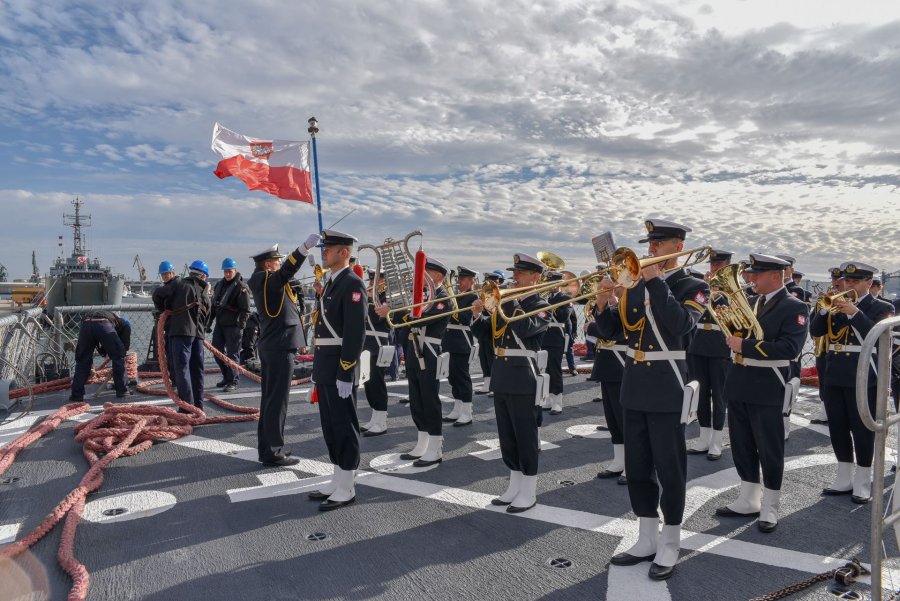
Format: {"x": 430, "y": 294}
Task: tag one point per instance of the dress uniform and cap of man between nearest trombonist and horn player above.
{"x": 708, "y": 359}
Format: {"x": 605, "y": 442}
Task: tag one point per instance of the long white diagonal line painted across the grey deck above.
{"x": 582, "y": 520}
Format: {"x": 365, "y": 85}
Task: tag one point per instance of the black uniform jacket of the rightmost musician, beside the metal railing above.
{"x": 840, "y": 364}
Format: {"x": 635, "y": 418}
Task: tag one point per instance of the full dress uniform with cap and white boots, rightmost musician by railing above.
{"x": 845, "y": 334}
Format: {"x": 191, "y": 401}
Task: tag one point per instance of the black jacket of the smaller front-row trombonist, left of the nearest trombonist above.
{"x": 515, "y": 375}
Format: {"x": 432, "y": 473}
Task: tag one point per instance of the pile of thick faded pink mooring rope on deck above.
{"x": 121, "y": 430}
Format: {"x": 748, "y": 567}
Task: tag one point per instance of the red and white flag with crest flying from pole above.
{"x": 279, "y": 167}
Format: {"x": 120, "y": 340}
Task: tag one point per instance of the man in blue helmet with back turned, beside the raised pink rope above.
{"x": 188, "y": 300}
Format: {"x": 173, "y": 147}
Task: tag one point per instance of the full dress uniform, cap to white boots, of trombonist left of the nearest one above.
{"x": 514, "y": 382}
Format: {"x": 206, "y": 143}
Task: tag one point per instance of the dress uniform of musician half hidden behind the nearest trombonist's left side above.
{"x": 609, "y": 366}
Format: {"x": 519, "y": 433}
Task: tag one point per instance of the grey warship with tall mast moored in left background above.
{"x": 78, "y": 279}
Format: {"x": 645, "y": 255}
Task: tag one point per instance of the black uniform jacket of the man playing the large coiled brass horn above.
{"x": 785, "y": 323}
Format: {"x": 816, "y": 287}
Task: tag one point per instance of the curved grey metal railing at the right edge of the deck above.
{"x": 882, "y": 336}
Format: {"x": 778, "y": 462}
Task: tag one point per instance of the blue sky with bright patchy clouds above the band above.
{"x": 494, "y": 127}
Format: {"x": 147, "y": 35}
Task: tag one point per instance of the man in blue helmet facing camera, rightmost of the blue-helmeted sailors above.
{"x": 230, "y": 310}
